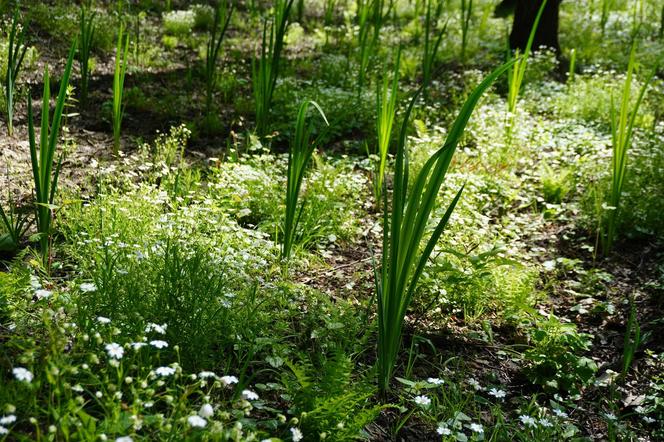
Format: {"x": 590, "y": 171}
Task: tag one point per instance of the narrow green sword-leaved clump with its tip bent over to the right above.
{"x": 299, "y": 155}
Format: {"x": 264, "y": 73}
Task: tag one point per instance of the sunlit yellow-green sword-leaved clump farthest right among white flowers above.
{"x": 622, "y": 127}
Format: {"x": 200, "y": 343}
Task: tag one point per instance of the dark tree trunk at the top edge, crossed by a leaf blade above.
{"x": 525, "y": 12}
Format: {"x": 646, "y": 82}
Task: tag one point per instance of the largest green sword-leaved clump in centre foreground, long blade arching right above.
{"x": 405, "y": 223}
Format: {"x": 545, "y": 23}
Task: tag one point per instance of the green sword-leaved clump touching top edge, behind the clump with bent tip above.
{"x": 266, "y": 71}
